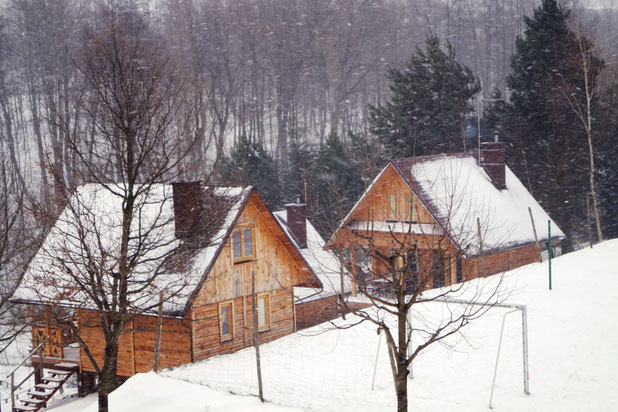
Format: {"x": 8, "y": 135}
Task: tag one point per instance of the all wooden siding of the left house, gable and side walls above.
{"x": 278, "y": 267}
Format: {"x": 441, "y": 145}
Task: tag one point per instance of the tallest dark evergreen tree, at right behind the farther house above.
{"x": 546, "y": 142}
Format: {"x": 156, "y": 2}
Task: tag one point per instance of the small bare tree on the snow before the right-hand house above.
{"x": 404, "y": 262}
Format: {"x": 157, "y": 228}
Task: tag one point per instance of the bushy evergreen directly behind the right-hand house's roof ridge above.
{"x": 430, "y": 98}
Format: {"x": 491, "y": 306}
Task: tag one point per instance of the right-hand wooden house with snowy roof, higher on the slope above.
{"x": 463, "y": 217}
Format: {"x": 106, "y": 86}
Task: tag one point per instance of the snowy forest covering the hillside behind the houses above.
{"x": 292, "y": 96}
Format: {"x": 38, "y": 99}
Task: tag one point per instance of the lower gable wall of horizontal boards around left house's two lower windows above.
{"x": 206, "y": 337}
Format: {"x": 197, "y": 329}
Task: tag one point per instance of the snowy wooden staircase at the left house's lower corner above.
{"x": 51, "y": 382}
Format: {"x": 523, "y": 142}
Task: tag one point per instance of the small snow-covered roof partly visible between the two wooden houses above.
{"x": 324, "y": 263}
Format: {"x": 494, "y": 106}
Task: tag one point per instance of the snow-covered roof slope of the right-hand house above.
{"x": 457, "y": 192}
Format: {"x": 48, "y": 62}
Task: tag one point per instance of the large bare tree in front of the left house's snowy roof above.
{"x": 113, "y": 249}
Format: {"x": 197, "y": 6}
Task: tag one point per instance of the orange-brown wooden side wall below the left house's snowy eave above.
{"x": 136, "y": 349}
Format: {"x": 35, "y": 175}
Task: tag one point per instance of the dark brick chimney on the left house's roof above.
{"x": 187, "y": 207}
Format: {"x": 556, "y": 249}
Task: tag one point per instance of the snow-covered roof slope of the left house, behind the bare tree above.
{"x": 85, "y": 240}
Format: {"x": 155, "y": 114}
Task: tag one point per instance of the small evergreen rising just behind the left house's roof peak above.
{"x": 250, "y": 164}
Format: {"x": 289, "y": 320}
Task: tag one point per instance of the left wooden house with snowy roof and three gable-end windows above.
{"x": 214, "y": 314}
